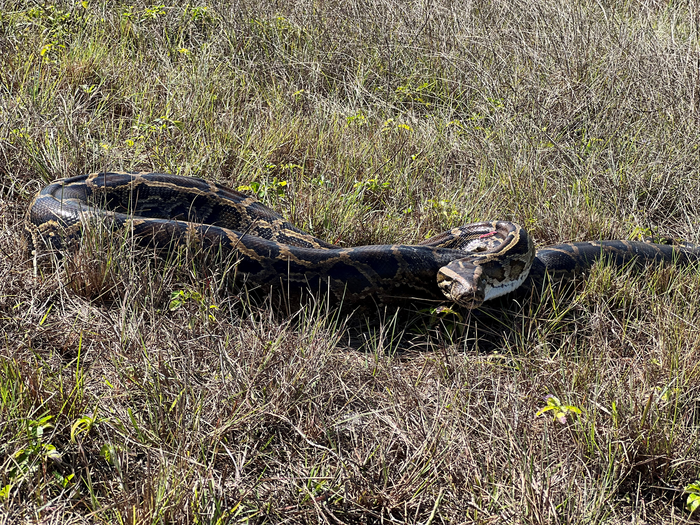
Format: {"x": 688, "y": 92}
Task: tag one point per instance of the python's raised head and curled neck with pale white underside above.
{"x": 490, "y": 271}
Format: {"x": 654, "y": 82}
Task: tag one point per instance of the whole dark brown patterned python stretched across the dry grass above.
{"x": 466, "y": 265}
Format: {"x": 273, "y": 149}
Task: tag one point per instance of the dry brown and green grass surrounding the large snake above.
{"x": 140, "y": 390}
